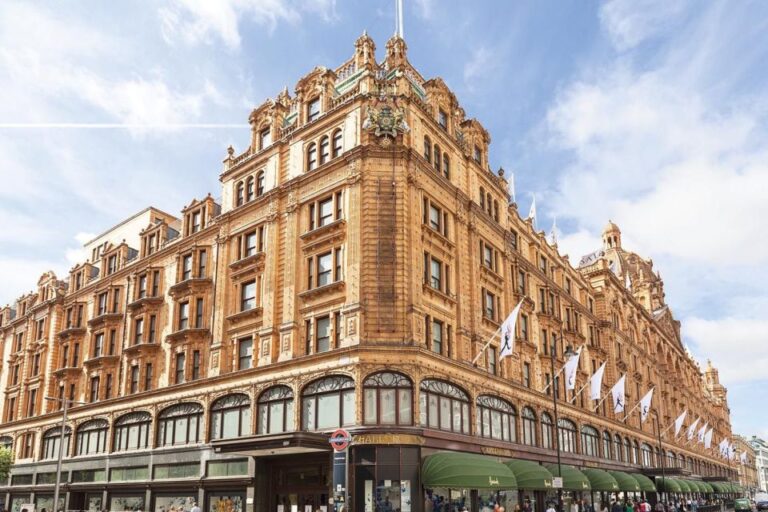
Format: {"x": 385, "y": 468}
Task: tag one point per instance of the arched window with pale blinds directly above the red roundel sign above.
{"x": 328, "y": 403}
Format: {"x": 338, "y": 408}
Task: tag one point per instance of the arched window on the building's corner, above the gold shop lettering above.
{"x": 387, "y": 399}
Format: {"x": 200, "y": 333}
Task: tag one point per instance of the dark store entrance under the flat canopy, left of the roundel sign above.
{"x": 300, "y": 483}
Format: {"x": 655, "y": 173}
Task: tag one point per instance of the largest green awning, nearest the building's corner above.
{"x": 466, "y": 470}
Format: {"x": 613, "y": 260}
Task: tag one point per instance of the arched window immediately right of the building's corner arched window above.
{"x": 443, "y": 406}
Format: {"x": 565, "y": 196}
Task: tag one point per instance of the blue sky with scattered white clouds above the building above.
{"x": 648, "y": 112}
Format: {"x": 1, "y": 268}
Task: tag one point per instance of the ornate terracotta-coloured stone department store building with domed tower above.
{"x": 362, "y": 255}
